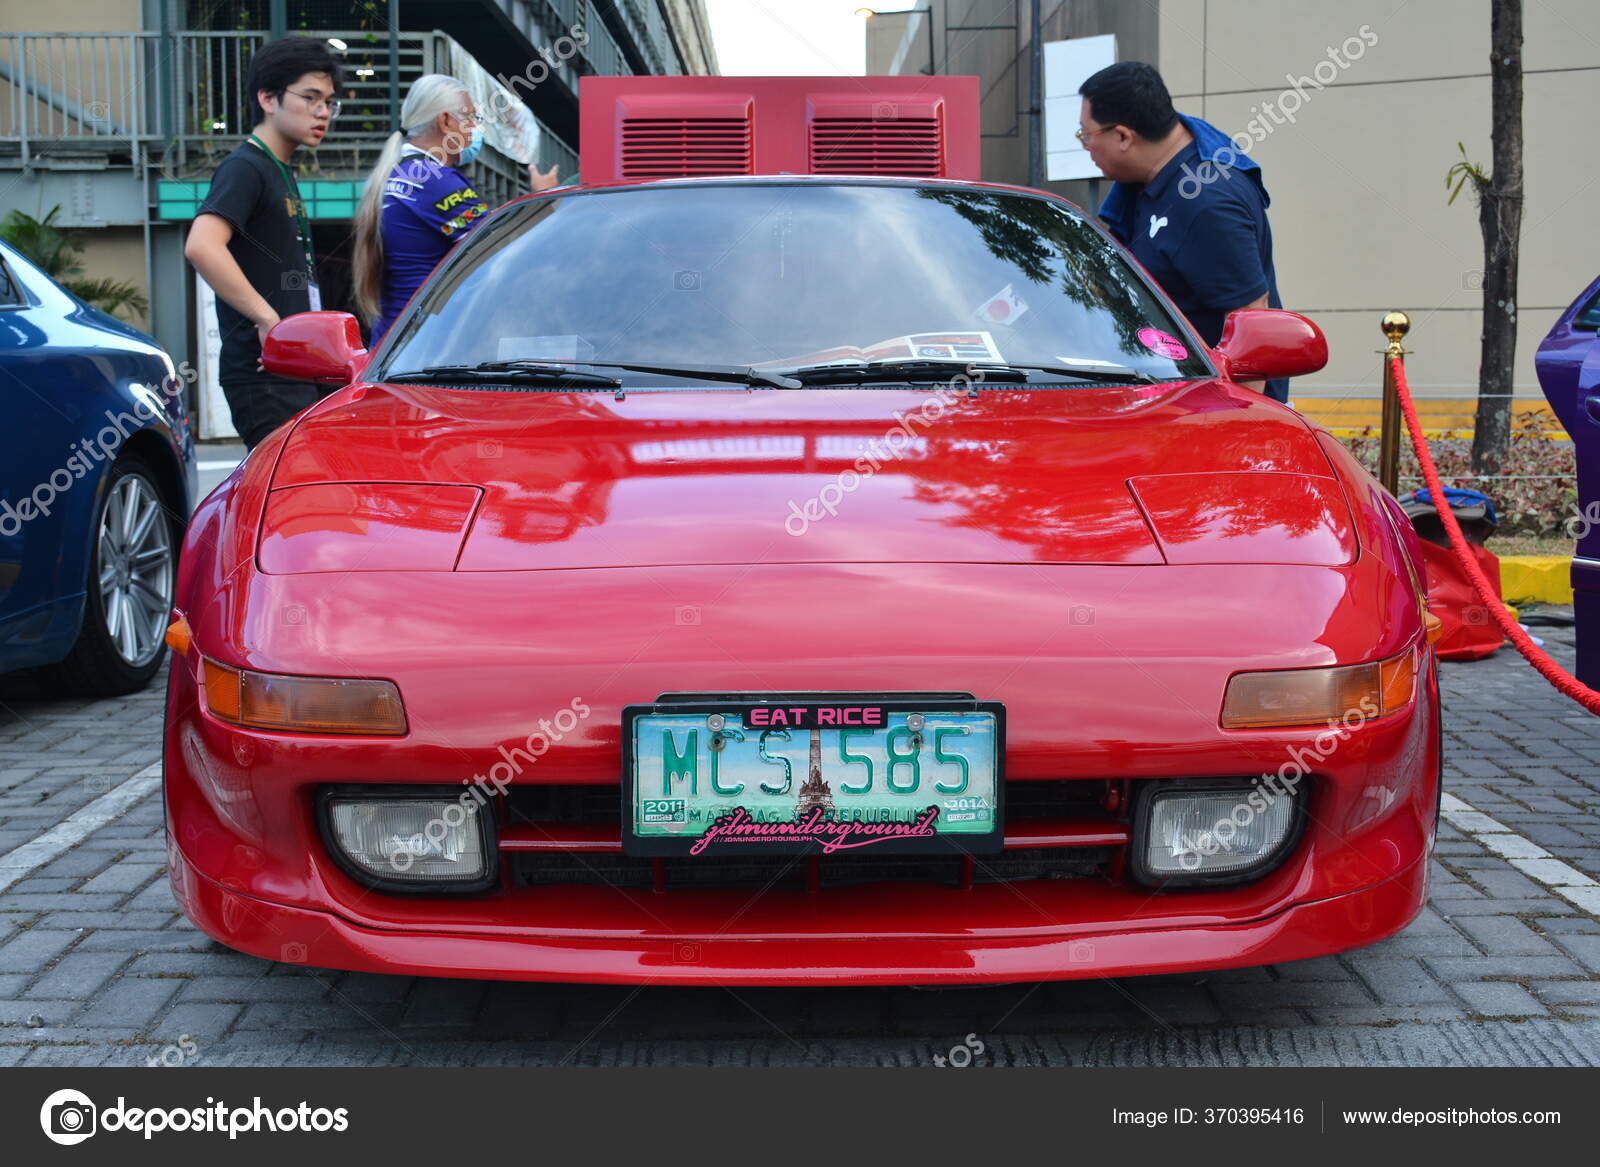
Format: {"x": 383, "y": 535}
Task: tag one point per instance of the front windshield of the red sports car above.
{"x": 786, "y": 276}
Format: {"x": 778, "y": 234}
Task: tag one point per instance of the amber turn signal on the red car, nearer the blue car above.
{"x": 303, "y": 705}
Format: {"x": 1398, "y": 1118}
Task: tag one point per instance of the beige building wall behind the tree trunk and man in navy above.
{"x": 1359, "y": 214}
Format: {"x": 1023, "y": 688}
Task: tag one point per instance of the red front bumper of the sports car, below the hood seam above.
{"x": 250, "y": 868}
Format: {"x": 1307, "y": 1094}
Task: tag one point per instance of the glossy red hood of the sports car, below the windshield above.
{"x": 412, "y": 478}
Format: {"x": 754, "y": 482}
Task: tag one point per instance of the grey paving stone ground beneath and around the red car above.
{"x": 98, "y": 968}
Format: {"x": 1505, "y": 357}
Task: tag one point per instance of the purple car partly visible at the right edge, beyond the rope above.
{"x": 1569, "y": 364}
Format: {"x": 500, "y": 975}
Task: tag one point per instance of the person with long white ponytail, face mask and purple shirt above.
{"x": 417, "y": 204}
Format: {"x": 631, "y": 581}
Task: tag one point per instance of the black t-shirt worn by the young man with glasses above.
{"x": 250, "y": 193}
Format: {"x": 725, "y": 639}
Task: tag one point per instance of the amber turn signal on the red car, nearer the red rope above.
{"x": 1319, "y": 697}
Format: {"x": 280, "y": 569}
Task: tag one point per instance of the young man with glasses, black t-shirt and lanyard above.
{"x": 252, "y": 238}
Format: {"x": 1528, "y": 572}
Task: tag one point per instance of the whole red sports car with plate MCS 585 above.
{"x": 799, "y": 580}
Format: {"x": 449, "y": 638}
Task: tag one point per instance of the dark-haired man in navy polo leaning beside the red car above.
{"x": 1186, "y": 203}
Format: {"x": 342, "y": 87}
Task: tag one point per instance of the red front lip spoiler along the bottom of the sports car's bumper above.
{"x": 322, "y": 939}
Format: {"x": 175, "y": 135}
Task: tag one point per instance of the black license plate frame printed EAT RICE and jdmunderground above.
{"x": 745, "y": 707}
